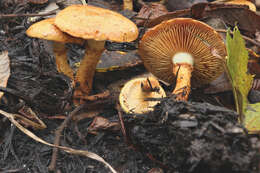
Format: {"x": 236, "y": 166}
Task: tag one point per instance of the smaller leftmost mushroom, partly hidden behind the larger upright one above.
{"x": 46, "y": 29}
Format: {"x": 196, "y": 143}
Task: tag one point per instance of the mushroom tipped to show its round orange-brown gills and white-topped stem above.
{"x": 181, "y": 48}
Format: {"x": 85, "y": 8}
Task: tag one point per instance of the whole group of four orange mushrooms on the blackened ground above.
{"x": 181, "y": 50}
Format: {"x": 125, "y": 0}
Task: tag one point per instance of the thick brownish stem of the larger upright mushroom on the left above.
{"x": 87, "y": 68}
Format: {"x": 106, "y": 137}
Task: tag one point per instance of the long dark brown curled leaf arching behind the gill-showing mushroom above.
{"x": 231, "y": 14}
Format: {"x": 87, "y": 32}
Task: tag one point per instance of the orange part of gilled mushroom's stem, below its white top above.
{"x": 183, "y": 85}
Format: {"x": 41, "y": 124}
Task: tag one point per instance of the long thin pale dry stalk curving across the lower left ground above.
{"x": 66, "y": 149}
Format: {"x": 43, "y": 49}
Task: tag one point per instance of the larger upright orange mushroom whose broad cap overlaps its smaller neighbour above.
{"x": 96, "y": 25}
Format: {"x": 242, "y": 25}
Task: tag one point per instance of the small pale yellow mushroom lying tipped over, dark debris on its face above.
{"x": 134, "y": 93}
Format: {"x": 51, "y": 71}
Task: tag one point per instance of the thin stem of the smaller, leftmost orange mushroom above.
{"x": 60, "y": 53}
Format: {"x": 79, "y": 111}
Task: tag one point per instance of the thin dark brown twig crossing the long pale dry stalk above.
{"x": 58, "y": 132}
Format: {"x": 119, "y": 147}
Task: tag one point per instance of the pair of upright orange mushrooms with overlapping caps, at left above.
{"x": 83, "y": 24}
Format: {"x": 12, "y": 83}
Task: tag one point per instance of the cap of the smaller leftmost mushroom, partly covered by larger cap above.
{"x": 46, "y": 29}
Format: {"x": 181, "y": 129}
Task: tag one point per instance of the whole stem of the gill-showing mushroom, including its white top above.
{"x": 182, "y": 68}
